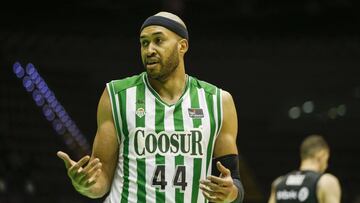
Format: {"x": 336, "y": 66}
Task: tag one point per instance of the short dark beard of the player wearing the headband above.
{"x": 167, "y": 67}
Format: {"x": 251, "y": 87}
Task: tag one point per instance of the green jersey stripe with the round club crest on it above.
{"x": 141, "y": 167}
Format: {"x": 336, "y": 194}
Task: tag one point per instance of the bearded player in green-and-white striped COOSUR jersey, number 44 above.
{"x": 159, "y": 131}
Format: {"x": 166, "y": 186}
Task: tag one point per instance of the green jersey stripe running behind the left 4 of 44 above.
{"x": 159, "y": 126}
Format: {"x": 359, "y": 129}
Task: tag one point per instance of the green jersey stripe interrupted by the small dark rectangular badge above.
{"x": 197, "y": 161}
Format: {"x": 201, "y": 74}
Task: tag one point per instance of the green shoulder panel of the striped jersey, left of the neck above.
{"x": 125, "y": 83}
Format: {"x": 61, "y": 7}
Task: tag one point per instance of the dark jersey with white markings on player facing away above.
{"x": 297, "y": 187}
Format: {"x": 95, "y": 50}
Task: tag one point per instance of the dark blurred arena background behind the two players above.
{"x": 293, "y": 68}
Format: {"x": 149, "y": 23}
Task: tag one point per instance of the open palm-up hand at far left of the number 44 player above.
{"x": 82, "y": 177}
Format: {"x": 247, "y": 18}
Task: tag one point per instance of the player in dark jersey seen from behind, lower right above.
{"x": 309, "y": 184}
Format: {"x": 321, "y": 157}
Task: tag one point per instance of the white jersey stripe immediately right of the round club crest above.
{"x": 150, "y": 162}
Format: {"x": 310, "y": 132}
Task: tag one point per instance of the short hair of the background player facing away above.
{"x": 311, "y": 145}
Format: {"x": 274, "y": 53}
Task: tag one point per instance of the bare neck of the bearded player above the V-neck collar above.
{"x": 173, "y": 87}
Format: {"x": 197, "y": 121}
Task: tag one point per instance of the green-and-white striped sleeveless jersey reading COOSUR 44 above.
{"x": 164, "y": 150}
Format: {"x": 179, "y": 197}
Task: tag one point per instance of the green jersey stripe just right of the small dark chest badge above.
{"x": 210, "y": 105}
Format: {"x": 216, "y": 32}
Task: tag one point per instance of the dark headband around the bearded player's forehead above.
{"x": 167, "y": 23}
